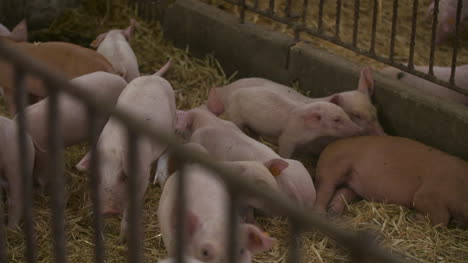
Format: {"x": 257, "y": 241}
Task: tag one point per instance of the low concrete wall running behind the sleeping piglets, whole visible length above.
{"x": 254, "y": 51}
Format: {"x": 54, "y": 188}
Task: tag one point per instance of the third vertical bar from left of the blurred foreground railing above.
{"x": 94, "y": 181}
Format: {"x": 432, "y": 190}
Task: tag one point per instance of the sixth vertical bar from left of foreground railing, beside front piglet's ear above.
{"x": 233, "y": 228}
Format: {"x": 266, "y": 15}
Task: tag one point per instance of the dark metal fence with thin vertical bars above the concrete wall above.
{"x": 301, "y": 26}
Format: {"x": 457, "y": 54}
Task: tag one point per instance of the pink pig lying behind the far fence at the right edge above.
{"x": 425, "y": 86}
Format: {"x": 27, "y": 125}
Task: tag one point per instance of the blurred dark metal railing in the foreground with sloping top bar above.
{"x": 360, "y": 245}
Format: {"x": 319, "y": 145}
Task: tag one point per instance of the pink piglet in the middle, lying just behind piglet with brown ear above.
{"x": 226, "y": 142}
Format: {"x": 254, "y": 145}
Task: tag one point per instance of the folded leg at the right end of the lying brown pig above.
{"x": 429, "y": 203}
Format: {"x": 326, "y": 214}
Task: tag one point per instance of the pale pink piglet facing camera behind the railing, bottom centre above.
{"x": 206, "y": 218}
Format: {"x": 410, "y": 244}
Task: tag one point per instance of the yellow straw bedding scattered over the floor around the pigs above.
{"x": 191, "y": 78}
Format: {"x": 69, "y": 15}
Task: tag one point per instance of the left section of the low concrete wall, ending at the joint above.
{"x": 239, "y": 47}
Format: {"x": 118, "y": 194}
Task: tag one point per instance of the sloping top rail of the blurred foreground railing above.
{"x": 307, "y": 220}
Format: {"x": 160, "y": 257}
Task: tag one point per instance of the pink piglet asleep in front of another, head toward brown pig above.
{"x": 288, "y": 123}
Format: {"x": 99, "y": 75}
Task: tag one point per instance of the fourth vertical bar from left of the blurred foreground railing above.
{"x": 135, "y": 240}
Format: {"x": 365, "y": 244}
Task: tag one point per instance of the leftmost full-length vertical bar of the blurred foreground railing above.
{"x": 21, "y": 102}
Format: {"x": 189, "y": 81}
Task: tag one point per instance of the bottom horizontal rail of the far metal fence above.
{"x": 339, "y": 42}
